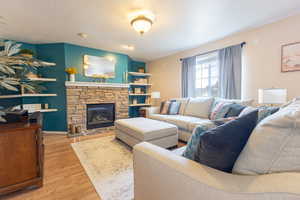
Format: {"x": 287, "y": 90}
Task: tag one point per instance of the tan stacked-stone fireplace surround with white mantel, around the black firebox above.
{"x": 79, "y": 95}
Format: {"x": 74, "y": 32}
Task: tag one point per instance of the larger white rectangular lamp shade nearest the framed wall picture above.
{"x": 272, "y": 96}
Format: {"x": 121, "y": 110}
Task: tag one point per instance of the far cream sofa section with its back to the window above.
{"x": 193, "y": 112}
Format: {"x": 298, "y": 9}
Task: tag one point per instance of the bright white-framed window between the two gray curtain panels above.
{"x": 207, "y": 75}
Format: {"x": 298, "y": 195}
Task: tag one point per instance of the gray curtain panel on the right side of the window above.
{"x": 230, "y": 60}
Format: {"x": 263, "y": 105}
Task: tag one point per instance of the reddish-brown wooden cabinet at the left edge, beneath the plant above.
{"x": 21, "y": 157}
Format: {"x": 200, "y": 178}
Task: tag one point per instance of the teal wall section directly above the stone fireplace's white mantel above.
{"x": 74, "y": 58}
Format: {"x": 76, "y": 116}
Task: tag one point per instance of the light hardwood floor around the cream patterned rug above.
{"x": 64, "y": 177}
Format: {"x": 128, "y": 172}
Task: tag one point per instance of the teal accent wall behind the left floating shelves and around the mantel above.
{"x": 69, "y": 55}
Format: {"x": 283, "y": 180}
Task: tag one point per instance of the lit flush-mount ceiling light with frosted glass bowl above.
{"x": 142, "y": 21}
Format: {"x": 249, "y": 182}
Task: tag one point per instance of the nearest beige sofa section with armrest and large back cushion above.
{"x": 267, "y": 169}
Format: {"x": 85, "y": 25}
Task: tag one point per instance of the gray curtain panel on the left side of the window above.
{"x": 188, "y": 77}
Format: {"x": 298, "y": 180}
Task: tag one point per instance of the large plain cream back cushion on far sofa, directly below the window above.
{"x": 199, "y": 107}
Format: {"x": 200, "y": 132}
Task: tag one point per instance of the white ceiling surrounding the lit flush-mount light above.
{"x": 179, "y": 24}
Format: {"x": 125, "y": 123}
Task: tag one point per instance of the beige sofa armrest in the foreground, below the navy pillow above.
{"x": 160, "y": 174}
